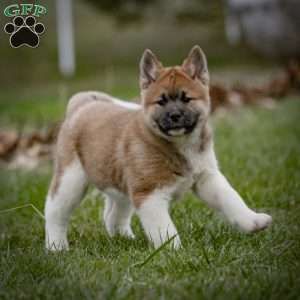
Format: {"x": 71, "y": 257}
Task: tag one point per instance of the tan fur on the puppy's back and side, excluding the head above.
{"x": 123, "y": 154}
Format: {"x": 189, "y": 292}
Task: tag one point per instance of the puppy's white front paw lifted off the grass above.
{"x": 255, "y": 222}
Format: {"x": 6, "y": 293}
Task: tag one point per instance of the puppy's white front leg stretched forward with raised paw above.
{"x": 218, "y": 193}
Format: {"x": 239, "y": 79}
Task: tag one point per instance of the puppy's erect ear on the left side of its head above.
{"x": 149, "y": 68}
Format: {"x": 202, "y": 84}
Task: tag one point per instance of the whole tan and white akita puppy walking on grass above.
{"x": 143, "y": 156}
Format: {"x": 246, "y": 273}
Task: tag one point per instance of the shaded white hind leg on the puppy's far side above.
{"x": 117, "y": 214}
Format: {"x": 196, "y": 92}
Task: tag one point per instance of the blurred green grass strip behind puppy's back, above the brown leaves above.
{"x": 46, "y": 103}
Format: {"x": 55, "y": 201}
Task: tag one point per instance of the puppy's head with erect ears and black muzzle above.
{"x": 175, "y": 99}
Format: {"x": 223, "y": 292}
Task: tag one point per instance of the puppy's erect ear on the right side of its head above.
{"x": 195, "y": 65}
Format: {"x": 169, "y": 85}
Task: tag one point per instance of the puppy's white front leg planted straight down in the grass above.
{"x": 156, "y": 220}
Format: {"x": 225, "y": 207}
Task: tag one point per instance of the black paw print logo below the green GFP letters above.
{"x": 24, "y": 32}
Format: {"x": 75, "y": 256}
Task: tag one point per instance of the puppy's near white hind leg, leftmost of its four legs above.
{"x": 60, "y": 205}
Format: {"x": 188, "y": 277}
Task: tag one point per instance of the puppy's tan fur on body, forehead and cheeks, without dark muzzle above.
{"x": 117, "y": 147}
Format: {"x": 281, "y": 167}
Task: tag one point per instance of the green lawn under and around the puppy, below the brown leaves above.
{"x": 258, "y": 151}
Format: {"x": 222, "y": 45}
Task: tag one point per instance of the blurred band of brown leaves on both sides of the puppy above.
{"x": 29, "y": 150}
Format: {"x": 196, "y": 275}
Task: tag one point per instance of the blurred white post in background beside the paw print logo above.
{"x": 66, "y": 51}
